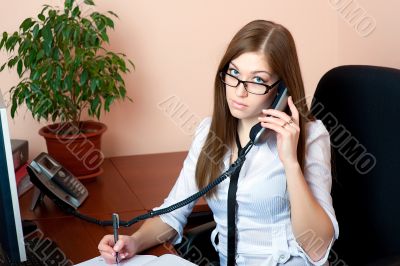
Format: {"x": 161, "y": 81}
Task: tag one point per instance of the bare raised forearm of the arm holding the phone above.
{"x": 312, "y": 227}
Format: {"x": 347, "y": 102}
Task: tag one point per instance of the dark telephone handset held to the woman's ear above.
{"x": 258, "y": 134}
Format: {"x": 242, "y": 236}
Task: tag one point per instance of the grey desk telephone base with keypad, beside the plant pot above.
{"x": 56, "y": 182}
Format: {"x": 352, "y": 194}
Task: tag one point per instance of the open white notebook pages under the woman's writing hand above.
{"x": 142, "y": 260}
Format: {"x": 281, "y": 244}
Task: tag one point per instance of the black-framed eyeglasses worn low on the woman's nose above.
{"x": 249, "y": 86}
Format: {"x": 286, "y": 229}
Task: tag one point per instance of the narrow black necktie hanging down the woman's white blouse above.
{"x": 232, "y": 209}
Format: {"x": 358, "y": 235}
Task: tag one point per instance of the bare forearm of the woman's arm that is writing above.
{"x": 153, "y": 232}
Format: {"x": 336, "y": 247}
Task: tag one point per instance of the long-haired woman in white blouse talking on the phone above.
{"x": 284, "y": 212}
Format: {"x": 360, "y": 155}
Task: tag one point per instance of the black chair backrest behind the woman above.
{"x": 360, "y": 107}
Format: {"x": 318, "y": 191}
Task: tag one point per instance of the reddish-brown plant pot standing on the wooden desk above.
{"x": 79, "y": 152}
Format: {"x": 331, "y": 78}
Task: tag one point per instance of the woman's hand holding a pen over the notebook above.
{"x": 126, "y": 247}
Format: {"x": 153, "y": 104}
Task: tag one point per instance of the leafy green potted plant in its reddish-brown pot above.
{"x": 64, "y": 73}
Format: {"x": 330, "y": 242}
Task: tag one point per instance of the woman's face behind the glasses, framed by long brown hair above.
{"x": 251, "y": 66}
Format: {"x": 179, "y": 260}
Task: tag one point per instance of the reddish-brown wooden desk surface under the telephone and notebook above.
{"x": 130, "y": 186}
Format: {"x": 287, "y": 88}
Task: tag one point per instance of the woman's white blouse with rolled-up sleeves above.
{"x": 264, "y": 230}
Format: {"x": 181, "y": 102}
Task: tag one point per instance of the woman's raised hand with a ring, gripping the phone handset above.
{"x": 287, "y": 129}
